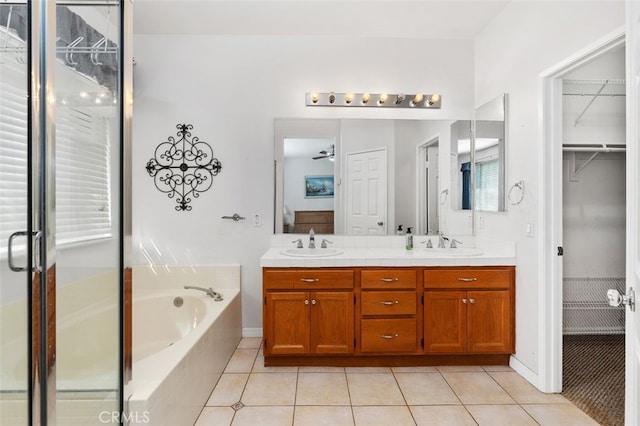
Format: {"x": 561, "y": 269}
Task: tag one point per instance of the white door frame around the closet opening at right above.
{"x": 550, "y": 209}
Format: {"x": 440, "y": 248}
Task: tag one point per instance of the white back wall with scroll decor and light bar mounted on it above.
{"x": 231, "y": 88}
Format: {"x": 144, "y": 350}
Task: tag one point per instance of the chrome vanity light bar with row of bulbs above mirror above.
{"x": 379, "y": 100}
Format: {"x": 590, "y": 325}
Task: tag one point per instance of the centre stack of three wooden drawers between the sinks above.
{"x": 388, "y": 310}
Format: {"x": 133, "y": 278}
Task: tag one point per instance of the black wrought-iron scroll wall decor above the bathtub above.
{"x": 183, "y": 168}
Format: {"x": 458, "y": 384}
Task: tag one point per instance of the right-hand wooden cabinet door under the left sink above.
{"x": 332, "y": 322}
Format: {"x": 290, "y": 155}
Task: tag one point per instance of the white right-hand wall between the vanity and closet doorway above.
{"x": 526, "y": 39}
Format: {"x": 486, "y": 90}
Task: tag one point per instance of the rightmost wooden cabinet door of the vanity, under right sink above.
{"x": 489, "y": 321}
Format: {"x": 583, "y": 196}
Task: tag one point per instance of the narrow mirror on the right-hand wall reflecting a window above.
{"x": 489, "y": 156}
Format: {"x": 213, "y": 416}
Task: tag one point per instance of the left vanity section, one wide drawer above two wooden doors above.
{"x": 308, "y": 311}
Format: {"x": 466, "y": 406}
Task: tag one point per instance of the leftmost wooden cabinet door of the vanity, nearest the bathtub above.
{"x": 287, "y": 323}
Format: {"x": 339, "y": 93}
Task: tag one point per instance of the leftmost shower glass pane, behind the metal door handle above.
{"x": 14, "y": 204}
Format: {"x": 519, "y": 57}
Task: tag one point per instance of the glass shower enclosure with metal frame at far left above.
{"x": 64, "y": 212}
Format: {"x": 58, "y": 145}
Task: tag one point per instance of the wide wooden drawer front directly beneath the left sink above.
{"x": 308, "y": 279}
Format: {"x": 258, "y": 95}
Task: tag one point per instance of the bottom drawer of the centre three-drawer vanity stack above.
{"x": 388, "y": 335}
